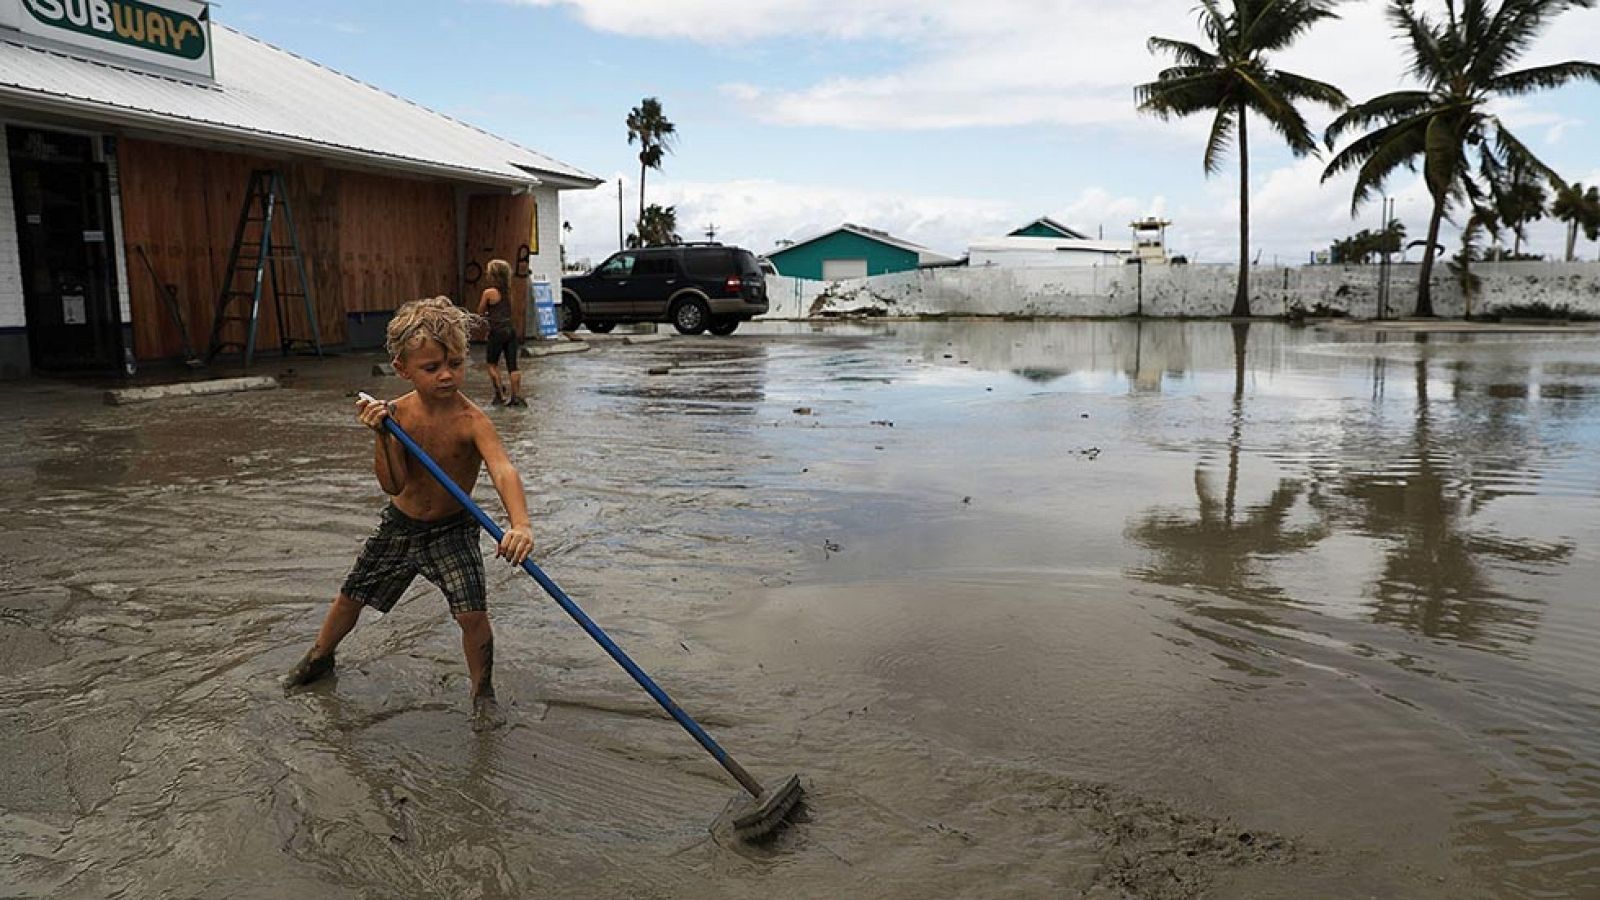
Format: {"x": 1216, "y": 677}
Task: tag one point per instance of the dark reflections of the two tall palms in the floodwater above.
{"x": 1433, "y": 579}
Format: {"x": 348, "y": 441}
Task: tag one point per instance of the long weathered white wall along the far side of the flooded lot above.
{"x": 1182, "y": 291}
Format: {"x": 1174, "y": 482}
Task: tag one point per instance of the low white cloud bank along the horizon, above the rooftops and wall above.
{"x": 1292, "y": 214}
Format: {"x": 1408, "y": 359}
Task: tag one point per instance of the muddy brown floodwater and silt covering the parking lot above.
{"x": 1036, "y": 609}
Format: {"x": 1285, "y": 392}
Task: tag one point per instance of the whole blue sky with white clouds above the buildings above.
{"x": 938, "y": 121}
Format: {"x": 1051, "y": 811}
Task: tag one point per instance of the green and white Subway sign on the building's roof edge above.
{"x": 174, "y": 34}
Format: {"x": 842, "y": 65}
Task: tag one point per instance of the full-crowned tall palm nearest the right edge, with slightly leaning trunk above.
{"x": 1465, "y": 63}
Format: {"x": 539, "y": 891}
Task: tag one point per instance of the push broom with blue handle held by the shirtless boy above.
{"x": 751, "y": 819}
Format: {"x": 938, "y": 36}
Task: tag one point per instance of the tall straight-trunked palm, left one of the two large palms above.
{"x": 1231, "y": 81}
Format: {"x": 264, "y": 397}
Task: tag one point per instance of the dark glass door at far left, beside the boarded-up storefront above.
{"x": 66, "y": 243}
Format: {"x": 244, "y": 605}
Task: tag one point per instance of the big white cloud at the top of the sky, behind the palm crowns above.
{"x": 1012, "y": 62}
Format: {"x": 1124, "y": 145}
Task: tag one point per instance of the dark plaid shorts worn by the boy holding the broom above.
{"x": 444, "y": 552}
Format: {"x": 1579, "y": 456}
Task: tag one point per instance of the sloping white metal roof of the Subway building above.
{"x": 271, "y": 98}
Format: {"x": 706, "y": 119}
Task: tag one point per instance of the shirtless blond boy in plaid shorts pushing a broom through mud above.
{"x": 425, "y": 531}
